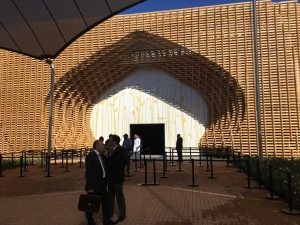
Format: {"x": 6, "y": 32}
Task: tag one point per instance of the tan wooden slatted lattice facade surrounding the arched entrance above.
{"x": 208, "y": 48}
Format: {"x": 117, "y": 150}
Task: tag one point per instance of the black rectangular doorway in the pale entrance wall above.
{"x": 152, "y": 137}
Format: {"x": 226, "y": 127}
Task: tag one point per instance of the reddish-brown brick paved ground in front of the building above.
{"x": 36, "y": 200}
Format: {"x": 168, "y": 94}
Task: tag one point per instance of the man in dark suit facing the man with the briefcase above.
{"x": 116, "y": 166}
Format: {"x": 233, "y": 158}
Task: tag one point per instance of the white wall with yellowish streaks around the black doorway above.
{"x": 149, "y": 95}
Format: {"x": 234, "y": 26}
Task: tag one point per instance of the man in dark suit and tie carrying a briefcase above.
{"x": 96, "y": 181}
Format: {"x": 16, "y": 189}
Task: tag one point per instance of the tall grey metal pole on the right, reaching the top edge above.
{"x": 257, "y": 85}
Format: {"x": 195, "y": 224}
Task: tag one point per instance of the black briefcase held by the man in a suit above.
{"x": 89, "y": 203}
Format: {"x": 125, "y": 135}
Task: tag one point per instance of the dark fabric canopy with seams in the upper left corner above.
{"x": 44, "y": 28}
